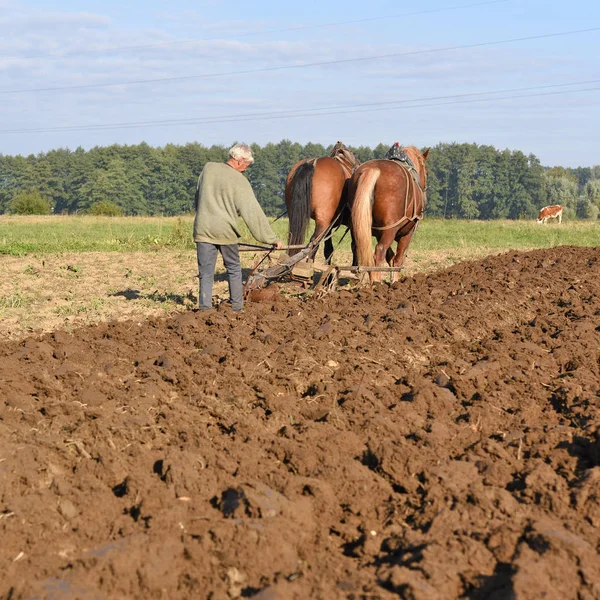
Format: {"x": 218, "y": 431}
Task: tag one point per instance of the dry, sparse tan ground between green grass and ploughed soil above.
{"x": 65, "y": 291}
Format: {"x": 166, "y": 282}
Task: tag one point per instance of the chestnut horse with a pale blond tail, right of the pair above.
{"x": 387, "y": 199}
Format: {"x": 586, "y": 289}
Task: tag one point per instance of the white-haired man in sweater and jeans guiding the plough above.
{"x": 222, "y": 195}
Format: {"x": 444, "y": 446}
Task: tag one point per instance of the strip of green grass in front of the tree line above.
{"x": 20, "y": 236}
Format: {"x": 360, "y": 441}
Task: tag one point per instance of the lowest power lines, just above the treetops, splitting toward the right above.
{"x": 335, "y": 110}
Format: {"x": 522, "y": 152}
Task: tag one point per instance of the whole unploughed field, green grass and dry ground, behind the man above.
{"x": 65, "y": 272}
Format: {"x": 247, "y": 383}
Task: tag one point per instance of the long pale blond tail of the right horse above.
{"x": 362, "y": 217}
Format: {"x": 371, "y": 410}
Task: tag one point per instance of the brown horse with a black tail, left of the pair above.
{"x": 317, "y": 188}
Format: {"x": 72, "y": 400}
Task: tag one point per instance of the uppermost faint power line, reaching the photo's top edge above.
{"x": 249, "y": 34}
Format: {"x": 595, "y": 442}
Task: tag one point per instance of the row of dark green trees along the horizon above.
{"x": 466, "y": 181}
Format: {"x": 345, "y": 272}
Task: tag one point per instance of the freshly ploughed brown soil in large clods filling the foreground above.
{"x": 438, "y": 438}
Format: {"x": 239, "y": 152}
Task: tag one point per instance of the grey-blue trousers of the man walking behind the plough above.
{"x": 207, "y": 260}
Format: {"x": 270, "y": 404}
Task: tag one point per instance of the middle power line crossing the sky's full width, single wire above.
{"x": 301, "y": 66}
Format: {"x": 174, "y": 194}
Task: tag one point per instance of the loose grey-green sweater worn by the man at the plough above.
{"x": 222, "y": 195}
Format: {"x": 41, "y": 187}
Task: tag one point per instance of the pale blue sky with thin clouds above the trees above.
{"x": 424, "y": 96}
